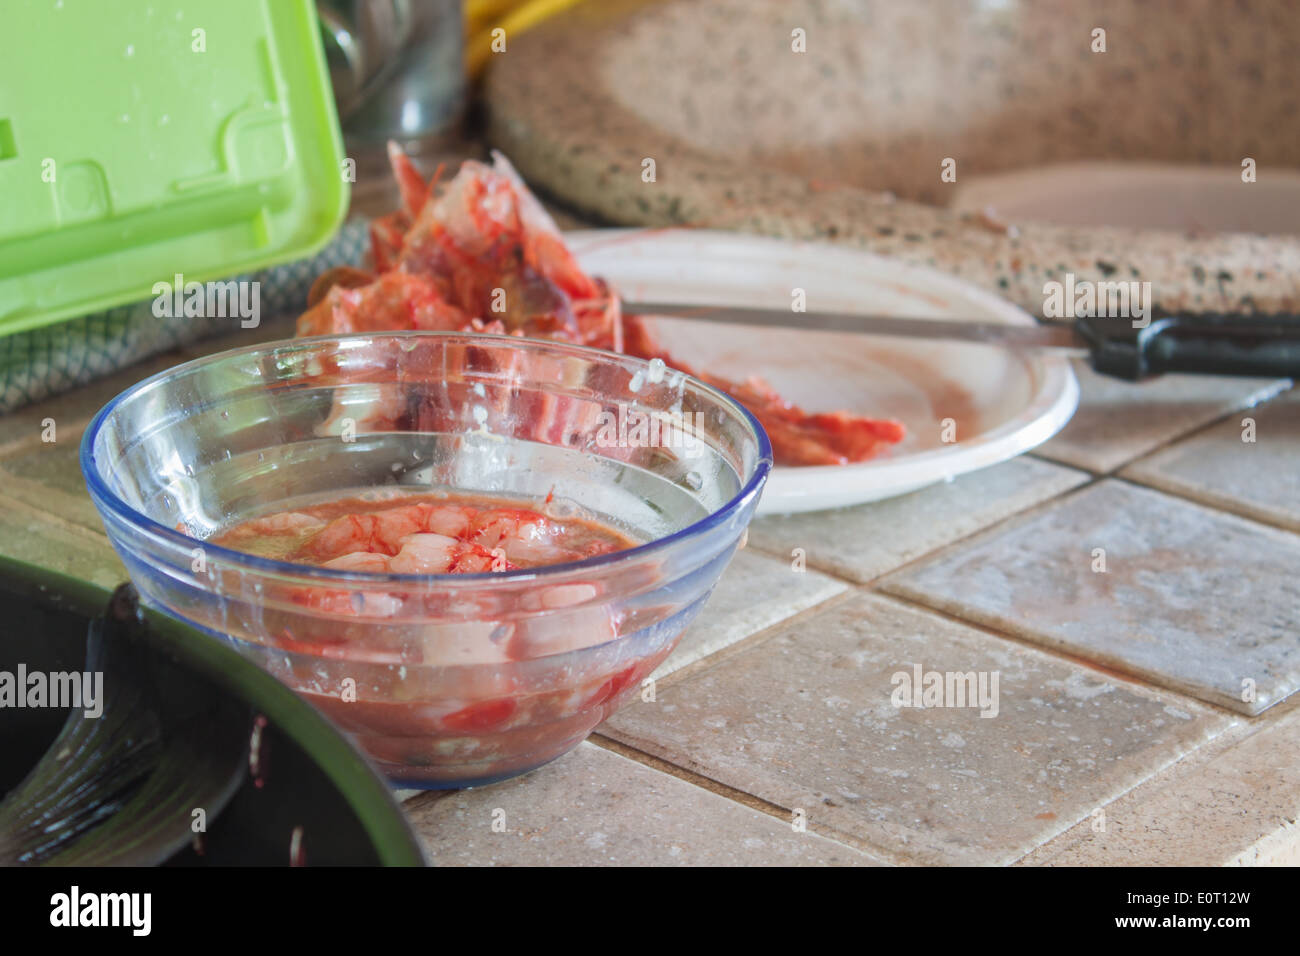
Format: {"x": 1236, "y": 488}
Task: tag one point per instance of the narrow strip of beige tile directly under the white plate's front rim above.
{"x": 866, "y": 542}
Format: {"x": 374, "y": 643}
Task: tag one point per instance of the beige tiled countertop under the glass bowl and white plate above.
{"x": 1123, "y": 734}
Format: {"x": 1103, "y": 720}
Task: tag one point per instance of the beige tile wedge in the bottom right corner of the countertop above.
{"x": 1227, "y": 806}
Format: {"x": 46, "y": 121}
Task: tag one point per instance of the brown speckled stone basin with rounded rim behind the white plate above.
{"x": 748, "y": 135}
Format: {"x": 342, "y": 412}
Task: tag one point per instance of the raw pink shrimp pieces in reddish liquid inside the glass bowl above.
{"x": 415, "y": 535}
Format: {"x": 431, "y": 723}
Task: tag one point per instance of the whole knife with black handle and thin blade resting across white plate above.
{"x": 1203, "y": 343}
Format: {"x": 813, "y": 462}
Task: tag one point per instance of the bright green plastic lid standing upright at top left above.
{"x": 145, "y": 139}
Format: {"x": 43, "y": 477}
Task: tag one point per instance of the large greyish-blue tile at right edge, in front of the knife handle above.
{"x": 1193, "y": 599}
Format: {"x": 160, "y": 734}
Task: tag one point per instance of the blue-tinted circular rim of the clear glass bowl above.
{"x": 101, "y": 494}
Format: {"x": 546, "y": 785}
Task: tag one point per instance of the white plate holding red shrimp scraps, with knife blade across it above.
{"x": 1002, "y": 403}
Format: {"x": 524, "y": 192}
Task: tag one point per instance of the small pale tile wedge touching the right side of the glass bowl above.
{"x": 755, "y": 594}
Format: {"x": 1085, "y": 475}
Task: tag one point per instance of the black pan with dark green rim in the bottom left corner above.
{"x": 197, "y": 758}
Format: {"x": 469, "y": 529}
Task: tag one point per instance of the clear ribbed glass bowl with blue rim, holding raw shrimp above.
{"x": 445, "y": 681}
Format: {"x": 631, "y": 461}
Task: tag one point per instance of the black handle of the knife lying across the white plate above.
{"x": 1206, "y": 343}
